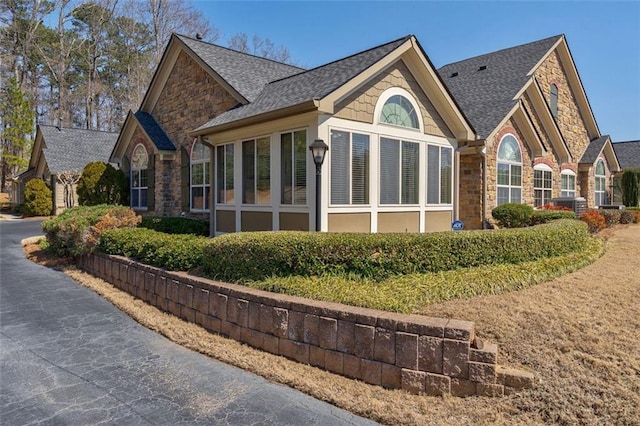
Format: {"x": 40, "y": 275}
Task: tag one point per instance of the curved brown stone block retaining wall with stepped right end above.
{"x": 419, "y": 354}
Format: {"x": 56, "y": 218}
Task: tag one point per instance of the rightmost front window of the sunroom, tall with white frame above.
{"x": 439, "y": 174}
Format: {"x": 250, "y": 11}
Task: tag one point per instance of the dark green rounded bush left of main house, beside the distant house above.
{"x": 101, "y": 183}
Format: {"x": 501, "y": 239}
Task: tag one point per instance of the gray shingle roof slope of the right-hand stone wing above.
{"x": 486, "y": 96}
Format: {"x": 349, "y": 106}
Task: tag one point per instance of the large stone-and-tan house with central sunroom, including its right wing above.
{"x": 226, "y": 135}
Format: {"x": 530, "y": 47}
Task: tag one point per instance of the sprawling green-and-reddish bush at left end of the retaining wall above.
{"x": 77, "y": 231}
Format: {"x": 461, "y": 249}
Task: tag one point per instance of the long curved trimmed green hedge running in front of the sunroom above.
{"x": 249, "y": 256}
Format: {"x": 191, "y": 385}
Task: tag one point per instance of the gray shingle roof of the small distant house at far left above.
{"x": 72, "y": 149}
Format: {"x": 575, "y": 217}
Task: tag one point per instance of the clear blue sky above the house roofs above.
{"x": 604, "y": 37}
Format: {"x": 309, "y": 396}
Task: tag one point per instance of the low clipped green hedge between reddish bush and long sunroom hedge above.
{"x": 174, "y": 252}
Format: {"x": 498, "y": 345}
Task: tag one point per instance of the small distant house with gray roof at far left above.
{"x": 58, "y": 151}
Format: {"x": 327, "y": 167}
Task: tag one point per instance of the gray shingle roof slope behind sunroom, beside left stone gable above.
{"x": 247, "y": 74}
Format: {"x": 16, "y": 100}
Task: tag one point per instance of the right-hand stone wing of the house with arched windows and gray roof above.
{"x": 537, "y": 135}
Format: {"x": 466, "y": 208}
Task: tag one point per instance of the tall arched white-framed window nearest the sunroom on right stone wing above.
{"x": 509, "y": 171}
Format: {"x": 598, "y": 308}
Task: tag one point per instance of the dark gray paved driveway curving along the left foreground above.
{"x": 68, "y": 357}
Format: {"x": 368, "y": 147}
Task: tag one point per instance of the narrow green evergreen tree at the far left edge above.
{"x": 17, "y": 128}
